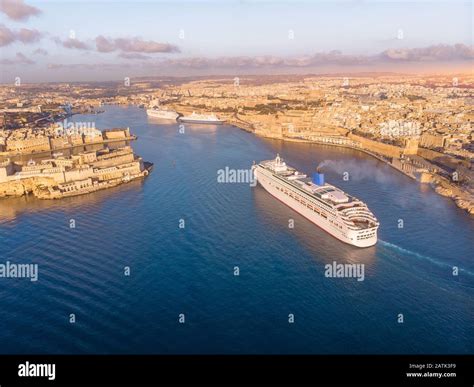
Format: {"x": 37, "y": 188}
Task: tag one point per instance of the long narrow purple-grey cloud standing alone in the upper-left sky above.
{"x": 133, "y": 45}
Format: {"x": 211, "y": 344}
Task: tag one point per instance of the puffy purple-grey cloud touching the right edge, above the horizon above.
{"x": 432, "y": 53}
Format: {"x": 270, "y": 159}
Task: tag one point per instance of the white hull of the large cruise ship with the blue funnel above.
{"x": 356, "y": 238}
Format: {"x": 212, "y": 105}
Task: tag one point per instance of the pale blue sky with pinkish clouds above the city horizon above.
{"x": 50, "y": 40}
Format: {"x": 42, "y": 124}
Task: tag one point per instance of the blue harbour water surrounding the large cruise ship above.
{"x": 189, "y": 271}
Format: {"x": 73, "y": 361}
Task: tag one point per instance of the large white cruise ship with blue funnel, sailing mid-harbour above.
{"x": 341, "y": 215}
